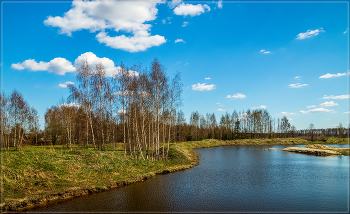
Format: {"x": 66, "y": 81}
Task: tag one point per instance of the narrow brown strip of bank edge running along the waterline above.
{"x": 28, "y": 204}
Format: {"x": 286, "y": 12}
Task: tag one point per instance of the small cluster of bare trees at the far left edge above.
{"x": 17, "y": 118}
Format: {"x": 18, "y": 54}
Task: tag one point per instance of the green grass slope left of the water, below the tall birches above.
{"x": 34, "y": 171}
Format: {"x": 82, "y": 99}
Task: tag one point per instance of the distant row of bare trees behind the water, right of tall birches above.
{"x": 257, "y": 123}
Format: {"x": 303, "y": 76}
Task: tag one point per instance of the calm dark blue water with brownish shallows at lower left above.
{"x": 232, "y": 179}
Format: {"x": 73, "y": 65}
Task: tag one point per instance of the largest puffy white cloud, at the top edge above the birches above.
{"x": 129, "y": 17}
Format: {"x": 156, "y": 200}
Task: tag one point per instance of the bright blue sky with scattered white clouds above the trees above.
{"x": 288, "y": 57}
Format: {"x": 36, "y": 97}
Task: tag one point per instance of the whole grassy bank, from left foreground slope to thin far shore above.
{"x": 36, "y": 175}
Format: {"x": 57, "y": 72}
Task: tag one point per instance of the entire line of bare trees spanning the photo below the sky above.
{"x": 138, "y": 107}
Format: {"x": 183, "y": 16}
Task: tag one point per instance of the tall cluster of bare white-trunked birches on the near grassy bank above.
{"x": 136, "y": 106}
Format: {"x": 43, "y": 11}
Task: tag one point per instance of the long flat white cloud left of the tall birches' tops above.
{"x": 57, "y": 65}
